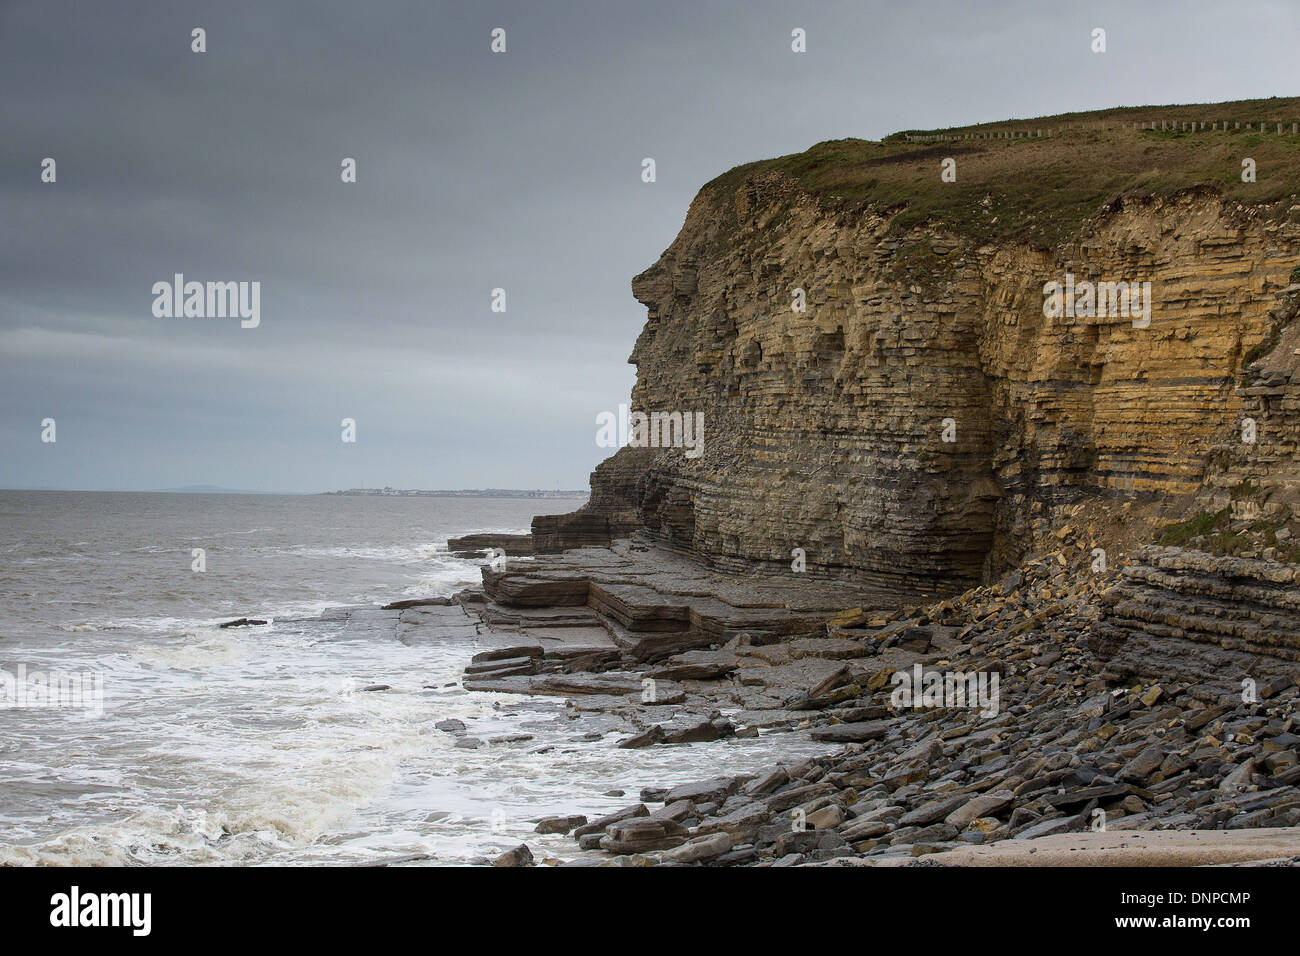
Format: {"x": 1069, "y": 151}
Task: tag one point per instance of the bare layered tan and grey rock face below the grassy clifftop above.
{"x": 825, "y": 430}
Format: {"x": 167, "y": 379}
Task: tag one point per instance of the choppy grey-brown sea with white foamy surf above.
{"x": 259, "y": 746}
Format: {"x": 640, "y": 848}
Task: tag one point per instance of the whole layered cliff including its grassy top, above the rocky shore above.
{"x": 924, "y": 422}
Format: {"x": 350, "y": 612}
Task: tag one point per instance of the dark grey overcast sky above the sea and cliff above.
{"x": 475, "y": 171}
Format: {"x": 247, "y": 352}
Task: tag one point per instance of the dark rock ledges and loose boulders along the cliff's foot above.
{"x": 1093, "y": 719}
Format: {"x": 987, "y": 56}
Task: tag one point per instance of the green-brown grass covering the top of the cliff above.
{"x": 1041, "y": 191}
